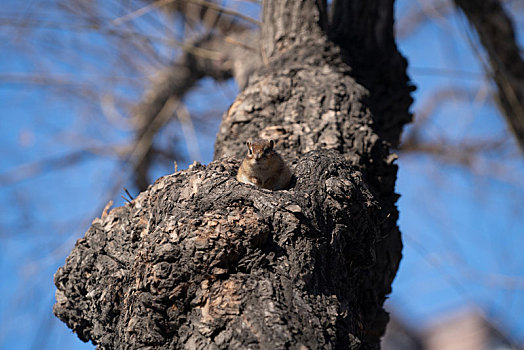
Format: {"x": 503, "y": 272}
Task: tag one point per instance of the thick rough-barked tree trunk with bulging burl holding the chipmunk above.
{"x": 202, "y": 261}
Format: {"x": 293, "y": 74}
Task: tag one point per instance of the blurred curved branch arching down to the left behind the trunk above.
{"x": 172, "y": 83}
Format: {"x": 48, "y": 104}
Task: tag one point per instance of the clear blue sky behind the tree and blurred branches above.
{"x": 462, "y": 230}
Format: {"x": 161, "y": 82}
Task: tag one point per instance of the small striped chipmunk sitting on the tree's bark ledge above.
{"x": 264, "y": 167}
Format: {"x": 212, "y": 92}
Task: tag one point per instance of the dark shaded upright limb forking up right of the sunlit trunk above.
{"x": 364, "y": 30}
